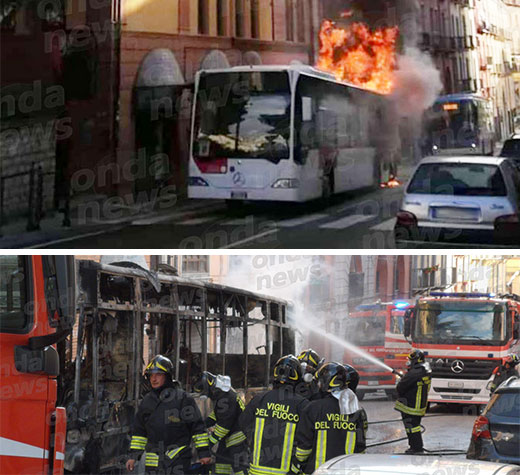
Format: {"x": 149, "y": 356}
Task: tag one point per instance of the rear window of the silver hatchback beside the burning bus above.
{"x": 461, "y": 179}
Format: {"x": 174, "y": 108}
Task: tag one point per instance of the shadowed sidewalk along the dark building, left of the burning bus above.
{"x": 15, "y": 235}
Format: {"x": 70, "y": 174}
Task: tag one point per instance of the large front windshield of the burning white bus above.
{"x": 243, "y": 114}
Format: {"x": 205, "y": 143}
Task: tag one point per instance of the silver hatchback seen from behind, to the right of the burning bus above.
{"x": 461, "y": 199}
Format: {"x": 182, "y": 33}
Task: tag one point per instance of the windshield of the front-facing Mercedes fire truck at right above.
{"x": 461, "y": 322}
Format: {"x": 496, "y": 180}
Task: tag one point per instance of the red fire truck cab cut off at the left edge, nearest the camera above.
{"x": 36, "y": 312}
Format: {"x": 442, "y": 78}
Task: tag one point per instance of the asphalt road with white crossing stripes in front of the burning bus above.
{"x": 361, "y": 220}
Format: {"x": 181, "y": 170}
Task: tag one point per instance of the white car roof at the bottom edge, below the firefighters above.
{"x": 388, "y": 464}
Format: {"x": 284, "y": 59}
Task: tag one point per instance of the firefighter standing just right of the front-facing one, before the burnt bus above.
{"x": 232, "y": 449}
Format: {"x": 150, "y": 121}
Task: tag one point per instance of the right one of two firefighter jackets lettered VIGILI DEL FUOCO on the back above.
{"x": 324, "y": 433}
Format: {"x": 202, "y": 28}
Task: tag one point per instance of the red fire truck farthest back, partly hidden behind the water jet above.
{"x": 377, "y": 329}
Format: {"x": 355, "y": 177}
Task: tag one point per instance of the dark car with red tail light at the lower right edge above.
{"x": 496, "y": 433}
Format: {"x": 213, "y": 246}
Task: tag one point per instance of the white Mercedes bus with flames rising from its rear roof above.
{"x": 282, "y": 133}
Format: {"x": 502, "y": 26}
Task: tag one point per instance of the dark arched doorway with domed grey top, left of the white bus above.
{"x": 161, "y": 160}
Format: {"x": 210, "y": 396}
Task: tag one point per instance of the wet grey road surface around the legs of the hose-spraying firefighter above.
{"x": 448, "y": 427}
